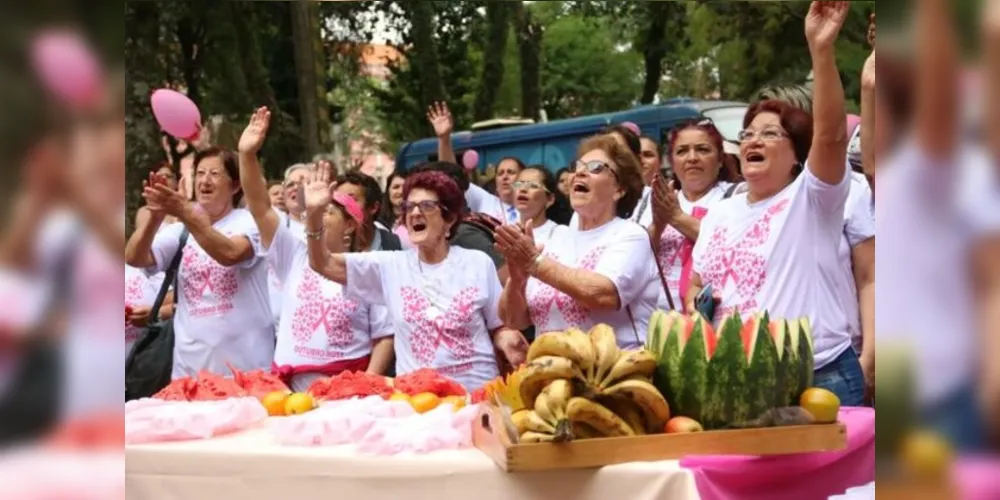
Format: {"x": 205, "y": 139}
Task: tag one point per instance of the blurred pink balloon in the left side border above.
{"x": 67, "y": 67}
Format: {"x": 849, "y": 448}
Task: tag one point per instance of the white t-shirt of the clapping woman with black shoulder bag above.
{"x": 223, "y": 314}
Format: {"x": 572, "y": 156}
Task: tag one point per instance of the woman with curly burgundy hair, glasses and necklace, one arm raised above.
{"x": 442, "y": 299}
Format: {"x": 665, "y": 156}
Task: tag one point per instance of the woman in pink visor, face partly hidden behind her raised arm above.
{"x": 321, "y": 332}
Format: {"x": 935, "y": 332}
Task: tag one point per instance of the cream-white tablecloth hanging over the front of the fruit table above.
{"x": 249, "y": 466}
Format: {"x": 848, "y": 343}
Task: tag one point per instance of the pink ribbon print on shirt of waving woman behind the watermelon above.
{"x": 741, "y": 265}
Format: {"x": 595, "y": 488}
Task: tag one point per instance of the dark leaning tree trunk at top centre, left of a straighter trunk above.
{"x": 498, "y": 27}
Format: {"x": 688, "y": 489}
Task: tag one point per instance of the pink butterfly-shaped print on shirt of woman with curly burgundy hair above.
{"x": 449, "y": 327}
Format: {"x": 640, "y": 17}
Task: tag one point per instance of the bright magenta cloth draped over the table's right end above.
{"x": 796, "y": 477}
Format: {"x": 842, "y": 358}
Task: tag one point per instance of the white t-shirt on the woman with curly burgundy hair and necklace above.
{"x": 442, "y": 314}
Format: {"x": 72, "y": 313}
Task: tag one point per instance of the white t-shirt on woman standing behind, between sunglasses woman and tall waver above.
{"x": 672, "y": 242}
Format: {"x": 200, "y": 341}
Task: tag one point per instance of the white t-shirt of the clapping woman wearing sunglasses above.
{"x": 619, "y": 251}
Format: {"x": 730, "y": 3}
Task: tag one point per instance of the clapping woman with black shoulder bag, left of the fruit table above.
{"x": 223, "y": 312}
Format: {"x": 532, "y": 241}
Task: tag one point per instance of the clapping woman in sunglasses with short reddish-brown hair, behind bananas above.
{"x": 600, "y": 272}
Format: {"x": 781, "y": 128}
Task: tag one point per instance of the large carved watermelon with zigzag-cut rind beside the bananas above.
{"x": 732, "y": 377}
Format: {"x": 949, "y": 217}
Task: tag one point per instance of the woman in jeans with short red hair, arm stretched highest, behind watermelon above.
{"x": 775, "y": 247}
